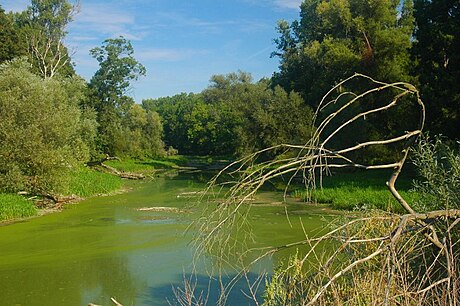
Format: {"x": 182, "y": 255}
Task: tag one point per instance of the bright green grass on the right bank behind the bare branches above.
{"x": 360, "y": 190}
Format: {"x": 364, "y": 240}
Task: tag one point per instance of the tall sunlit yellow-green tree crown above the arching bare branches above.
{"x": 336, "y": 38}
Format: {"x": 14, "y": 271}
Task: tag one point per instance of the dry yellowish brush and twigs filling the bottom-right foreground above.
{"x": 374, "y": 260}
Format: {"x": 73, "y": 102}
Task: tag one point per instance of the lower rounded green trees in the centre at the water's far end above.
{"x": 233, "y": 116}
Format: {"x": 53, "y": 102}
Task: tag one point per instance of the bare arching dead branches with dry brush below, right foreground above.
{"x": 375, "y": 257}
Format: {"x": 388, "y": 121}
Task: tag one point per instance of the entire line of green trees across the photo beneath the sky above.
{"x": 52, "y": 120}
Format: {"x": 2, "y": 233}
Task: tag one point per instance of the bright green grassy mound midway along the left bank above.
{"x": 86, "y": 182}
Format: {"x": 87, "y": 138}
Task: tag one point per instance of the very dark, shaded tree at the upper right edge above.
{"x": 438, "y": 63}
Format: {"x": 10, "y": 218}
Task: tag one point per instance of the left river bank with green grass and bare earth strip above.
{"x": 86, "y": 182}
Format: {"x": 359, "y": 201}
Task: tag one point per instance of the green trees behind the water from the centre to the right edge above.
{"x": 391, "y": 41}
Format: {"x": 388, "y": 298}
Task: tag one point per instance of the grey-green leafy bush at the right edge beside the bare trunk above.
{"x": 439, "y": 170}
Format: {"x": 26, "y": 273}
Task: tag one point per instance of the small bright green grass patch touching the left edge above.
{"x": 14, "y": 206}
